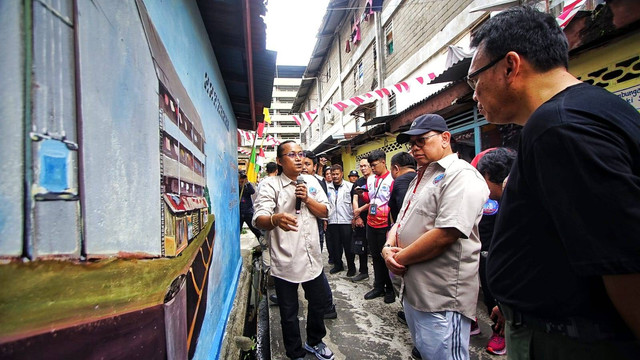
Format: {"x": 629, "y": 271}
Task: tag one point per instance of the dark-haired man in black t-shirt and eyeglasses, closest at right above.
{"x": 564, "y": 261}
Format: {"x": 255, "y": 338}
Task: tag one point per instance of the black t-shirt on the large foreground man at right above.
{"x": 571, "y": 210}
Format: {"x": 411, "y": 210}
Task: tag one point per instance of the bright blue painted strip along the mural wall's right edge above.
{"x": 181, "y": 29}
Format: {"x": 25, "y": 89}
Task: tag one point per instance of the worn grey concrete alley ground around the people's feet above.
{"x": 366, "y": 329}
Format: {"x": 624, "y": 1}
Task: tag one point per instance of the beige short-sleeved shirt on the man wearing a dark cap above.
{"x": 450, "y": 194}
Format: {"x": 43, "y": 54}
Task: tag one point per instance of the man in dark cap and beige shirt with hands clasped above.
{"x": 435, "y": 244}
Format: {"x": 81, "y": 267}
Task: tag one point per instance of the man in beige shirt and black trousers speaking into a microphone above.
{"x": 294, "y": 247}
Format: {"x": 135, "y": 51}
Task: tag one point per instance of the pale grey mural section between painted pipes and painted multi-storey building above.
{"x": 120, "y": 136}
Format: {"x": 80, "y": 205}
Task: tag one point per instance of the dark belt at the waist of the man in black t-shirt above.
{"x": 573, "y": 327}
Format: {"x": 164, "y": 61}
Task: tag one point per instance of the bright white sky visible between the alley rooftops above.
{"x": 292, "y": 26}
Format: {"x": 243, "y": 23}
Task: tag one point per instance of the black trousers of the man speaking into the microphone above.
{"x": 314, "y": 292}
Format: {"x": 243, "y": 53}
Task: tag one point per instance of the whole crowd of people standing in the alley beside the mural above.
{"x": 548, "y": 230}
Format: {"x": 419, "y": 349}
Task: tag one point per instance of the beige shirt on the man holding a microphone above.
{"x": 295, "y": 255}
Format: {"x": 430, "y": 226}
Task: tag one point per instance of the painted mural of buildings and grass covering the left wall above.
{"x": 118, "y": 211}
